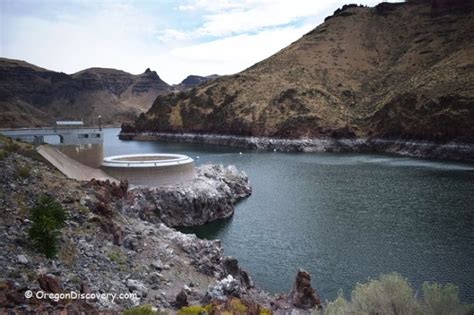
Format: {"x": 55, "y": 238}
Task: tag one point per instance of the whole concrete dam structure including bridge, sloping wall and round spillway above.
{"x": 80, "y": 155}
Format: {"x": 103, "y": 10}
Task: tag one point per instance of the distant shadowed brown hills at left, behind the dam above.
{"x": 33, "y": 96}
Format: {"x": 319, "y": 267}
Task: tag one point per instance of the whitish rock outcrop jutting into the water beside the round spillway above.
{"x": 210, "y": 196}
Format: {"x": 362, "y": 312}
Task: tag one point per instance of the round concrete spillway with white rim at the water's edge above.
{"x": 153, "y": 169}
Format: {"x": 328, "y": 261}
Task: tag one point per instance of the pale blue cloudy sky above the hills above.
{"x": 175, "y": 38}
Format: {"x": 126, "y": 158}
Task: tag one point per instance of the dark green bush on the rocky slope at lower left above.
{"x": 47, "y": 217}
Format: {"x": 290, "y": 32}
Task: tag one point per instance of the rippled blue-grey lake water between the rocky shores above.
{"x": 342, "y": 217}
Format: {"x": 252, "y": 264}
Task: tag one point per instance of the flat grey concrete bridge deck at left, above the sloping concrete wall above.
{"x": 67, "y": 136}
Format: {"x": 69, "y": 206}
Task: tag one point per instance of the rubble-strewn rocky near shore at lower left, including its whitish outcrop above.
{"x": 116, "y": 241}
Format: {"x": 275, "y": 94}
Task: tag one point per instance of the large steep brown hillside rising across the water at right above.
{"x": 400, "y": 70}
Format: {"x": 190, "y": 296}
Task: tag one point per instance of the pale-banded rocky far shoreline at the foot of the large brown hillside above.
{"x": 456, "y": 151}
